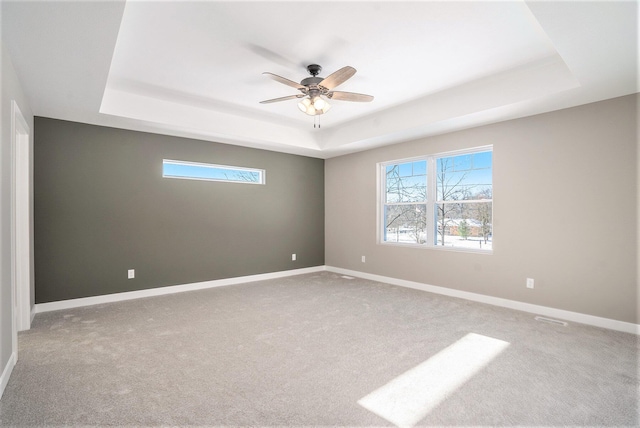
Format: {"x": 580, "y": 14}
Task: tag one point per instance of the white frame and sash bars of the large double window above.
{"x": 431, "y": 200}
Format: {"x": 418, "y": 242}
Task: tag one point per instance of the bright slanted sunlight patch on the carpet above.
{"x": 410, "y": 397}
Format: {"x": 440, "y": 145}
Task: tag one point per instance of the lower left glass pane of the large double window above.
{"x": 405, "y": 223}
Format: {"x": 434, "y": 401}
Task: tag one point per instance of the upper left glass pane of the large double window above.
{"x": 406, "y": 182}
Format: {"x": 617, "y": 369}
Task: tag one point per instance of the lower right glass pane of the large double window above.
{"x": 464, "y": 225}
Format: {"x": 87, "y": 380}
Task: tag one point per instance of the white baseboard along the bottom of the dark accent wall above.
{"x": 129, "y": 295}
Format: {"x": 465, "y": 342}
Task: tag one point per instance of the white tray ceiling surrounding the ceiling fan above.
{"x": 194, "y": 69}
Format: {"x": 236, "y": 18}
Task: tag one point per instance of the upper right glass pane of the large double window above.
{"x": 464, "y": 177}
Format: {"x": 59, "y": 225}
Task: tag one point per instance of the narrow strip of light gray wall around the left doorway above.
{"x": 10, "y": 90}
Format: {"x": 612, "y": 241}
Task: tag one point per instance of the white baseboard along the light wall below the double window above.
{"x": 497, "y": 301}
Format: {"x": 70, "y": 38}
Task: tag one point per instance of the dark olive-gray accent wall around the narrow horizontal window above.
{"x": 102, "y": 207}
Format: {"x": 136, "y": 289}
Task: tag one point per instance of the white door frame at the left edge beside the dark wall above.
{"x": 20, "y": 223}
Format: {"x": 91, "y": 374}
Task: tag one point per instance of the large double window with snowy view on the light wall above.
{"x": 439, "y": 201}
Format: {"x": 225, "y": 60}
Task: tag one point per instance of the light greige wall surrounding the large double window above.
{"x": 565, "y": 212}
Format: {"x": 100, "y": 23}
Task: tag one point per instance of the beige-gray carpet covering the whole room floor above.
{"x": 317, "y": 350}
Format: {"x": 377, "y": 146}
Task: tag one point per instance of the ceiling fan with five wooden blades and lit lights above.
{"x": 315, "y": 90}
